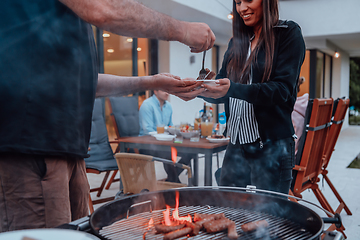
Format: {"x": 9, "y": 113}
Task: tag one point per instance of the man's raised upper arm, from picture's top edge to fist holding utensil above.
{"x": 130, "y": 18}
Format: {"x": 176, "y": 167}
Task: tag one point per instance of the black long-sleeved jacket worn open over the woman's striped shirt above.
{"x": 273, "y": 100}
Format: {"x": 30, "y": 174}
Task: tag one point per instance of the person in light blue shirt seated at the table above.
{"x": 154, "y": 111}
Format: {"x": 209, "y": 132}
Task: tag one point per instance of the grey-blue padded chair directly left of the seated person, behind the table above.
{"x": 124, "y": 114}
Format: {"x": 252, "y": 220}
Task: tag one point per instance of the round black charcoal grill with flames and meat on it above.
{"x": 129, "y": 218}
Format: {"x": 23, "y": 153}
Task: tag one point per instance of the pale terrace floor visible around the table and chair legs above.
{"x": 346, "y": 180}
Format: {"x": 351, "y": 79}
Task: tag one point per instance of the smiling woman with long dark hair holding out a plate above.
{"x": 257, "y": 83}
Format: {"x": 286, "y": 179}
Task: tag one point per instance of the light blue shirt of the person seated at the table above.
{"x": 150, "y": 115}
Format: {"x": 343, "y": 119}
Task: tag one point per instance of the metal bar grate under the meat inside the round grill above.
{"x": 137, "y": 226}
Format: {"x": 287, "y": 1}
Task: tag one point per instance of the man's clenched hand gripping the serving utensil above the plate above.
{"x": 198, "y": 36}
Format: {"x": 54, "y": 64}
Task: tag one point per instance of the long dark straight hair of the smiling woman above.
{"x": 239, "y": 66}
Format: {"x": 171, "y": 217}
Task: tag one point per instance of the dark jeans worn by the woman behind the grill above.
{"x": 268, "y": 168}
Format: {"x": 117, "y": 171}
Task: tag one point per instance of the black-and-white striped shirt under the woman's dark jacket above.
{"x": 242, "y": 121}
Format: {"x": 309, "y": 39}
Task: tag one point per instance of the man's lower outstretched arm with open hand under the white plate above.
{"x": 111, "y": 85}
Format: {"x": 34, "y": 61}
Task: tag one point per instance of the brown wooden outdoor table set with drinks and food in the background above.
{"x": 203, "y": 146}
